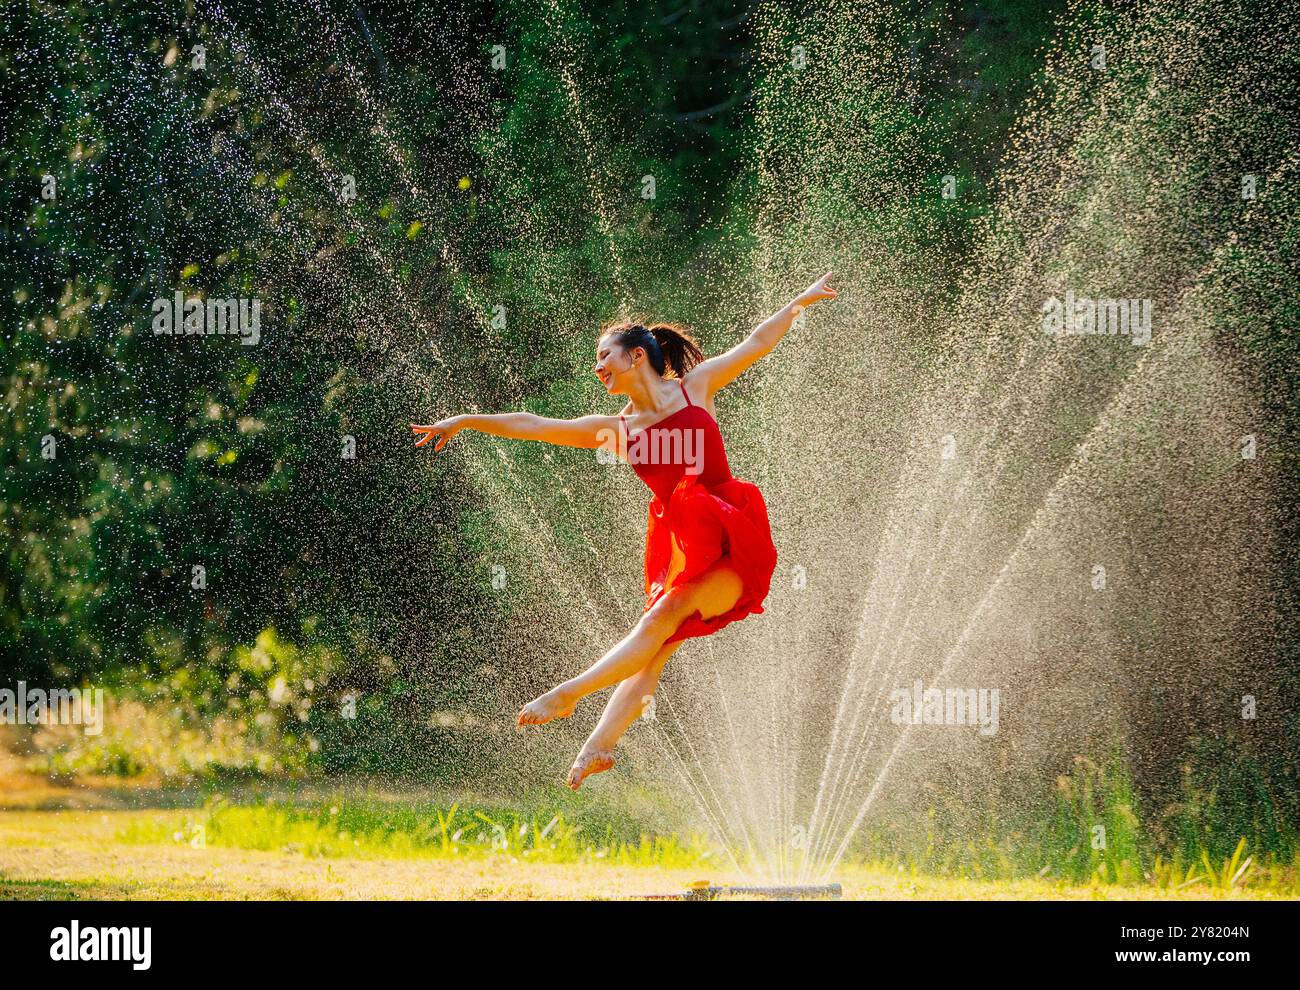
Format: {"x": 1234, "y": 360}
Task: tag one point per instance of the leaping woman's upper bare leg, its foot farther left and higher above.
{"x": 712, "y": 594}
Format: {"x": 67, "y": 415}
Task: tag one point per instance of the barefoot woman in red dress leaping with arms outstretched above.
{"x": 709, "y": 554}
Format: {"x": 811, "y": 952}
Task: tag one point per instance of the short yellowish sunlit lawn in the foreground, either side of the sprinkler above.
{"x": 158, "y": 854}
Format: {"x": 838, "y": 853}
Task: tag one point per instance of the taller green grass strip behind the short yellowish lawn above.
{"x": 1064, "y": 854}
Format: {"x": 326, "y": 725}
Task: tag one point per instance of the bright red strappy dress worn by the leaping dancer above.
{"x": 699, "y": 515}
